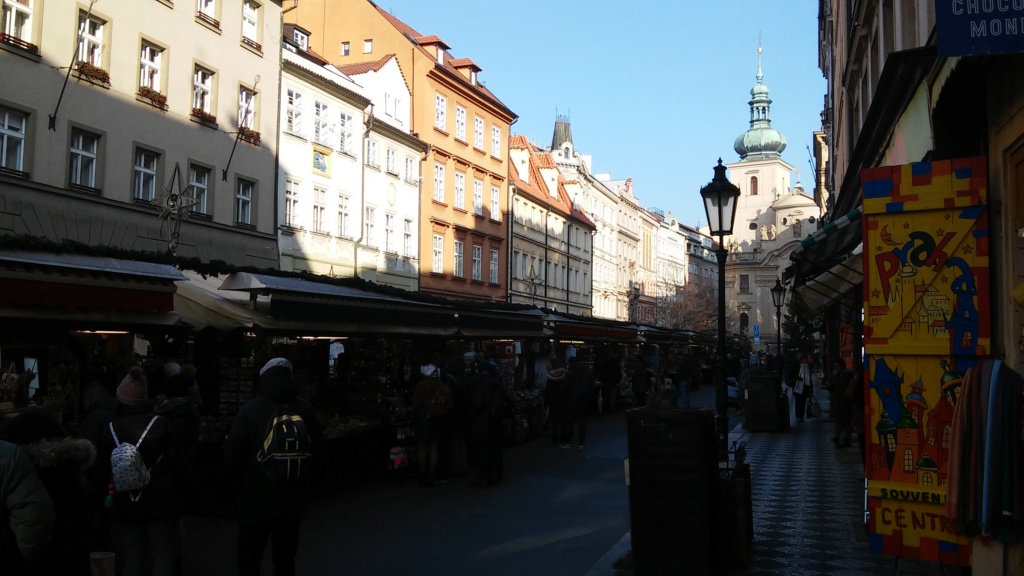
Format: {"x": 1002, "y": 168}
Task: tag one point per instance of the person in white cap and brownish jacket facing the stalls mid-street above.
{"x": 432, "y": 405}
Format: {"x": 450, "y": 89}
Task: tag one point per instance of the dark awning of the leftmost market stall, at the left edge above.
{"x": 91, "y": 292}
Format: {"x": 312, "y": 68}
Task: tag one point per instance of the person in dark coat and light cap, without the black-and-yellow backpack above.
{"x": 268, "y": 510}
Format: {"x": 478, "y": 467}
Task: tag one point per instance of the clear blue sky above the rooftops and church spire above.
{"x": 656, "y": 91}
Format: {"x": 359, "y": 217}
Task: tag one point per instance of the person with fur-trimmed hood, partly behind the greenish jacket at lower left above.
{"x": 61, "y": 463}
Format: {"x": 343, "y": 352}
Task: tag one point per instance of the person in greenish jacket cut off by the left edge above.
{"x": 26, "y": 512}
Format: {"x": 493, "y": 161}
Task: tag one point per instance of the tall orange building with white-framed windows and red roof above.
{"x": 463, "y": 232}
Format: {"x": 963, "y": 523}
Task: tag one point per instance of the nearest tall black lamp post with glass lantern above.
{"x": 720, "y": 203}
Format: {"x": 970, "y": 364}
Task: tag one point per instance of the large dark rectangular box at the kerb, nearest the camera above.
{"x": 674, "y": 477}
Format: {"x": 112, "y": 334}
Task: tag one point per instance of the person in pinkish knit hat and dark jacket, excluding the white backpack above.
{"x": 145, "y": 525}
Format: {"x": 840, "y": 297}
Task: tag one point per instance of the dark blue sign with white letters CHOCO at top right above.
{"x": 979, "y": 27}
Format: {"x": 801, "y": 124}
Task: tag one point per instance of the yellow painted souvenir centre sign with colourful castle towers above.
{"x": 927, "y": 320}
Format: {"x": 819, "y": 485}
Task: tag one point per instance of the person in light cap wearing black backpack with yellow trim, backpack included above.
{"x": 271, "y": 456}
